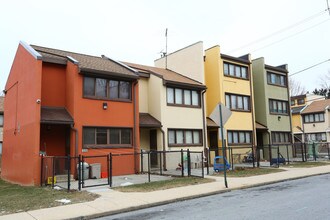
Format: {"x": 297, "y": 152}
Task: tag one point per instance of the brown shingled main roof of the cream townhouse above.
{"x": 170, "y": 77}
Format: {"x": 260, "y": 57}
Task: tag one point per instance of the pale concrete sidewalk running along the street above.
{"x": 111, "y": 202}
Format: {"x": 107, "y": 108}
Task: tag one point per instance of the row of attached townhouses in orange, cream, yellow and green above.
{"x": 61, "y": 103}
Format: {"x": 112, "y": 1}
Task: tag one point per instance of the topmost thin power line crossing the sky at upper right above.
{"x": 282, "y": 30}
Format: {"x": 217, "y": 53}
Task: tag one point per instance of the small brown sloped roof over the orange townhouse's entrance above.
{"x": 55, "y": 115}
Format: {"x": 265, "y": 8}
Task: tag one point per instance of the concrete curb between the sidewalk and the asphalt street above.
{"x": 134, "y": 208}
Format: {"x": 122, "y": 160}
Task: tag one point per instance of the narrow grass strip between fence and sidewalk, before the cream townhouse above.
{"x": 165, "y": 184}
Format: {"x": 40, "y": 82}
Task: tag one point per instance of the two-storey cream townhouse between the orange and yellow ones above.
{"x": 171, "y": 112}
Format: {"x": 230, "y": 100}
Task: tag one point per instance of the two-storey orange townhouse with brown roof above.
{"x": 60, "y": 103}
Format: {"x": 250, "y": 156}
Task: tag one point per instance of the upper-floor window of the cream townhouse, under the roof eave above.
{"x": 182, "y": 97}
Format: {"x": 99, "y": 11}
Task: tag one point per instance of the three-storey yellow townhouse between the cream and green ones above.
{"x": 229, "y": 82}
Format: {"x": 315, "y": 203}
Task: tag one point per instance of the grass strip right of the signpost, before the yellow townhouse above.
{"x": 246, "y": 172}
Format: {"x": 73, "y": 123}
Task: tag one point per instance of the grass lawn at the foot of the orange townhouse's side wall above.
{"x": 15, "y": 198}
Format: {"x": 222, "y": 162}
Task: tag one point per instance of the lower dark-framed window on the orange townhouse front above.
{"x": 100, "y": 137}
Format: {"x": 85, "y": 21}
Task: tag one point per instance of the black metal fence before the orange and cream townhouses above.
{"x": 97, "y": 170}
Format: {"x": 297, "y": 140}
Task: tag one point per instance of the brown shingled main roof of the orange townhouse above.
{"x": 87, "y": 63}
